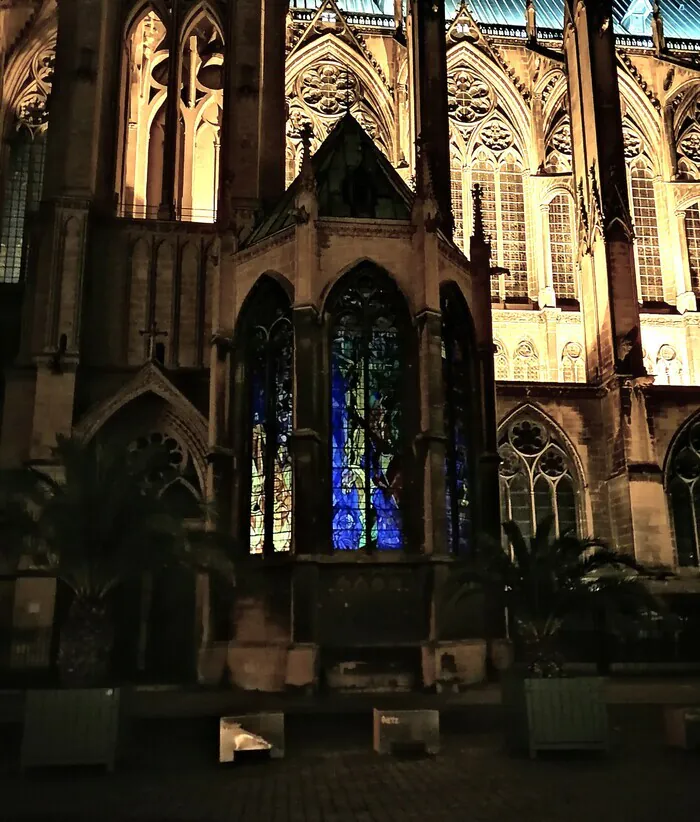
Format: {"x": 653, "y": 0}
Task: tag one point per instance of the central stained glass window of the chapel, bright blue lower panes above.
{"x": 366, "y": 414}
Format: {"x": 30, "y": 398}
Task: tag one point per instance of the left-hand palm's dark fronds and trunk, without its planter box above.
{"x": 99, "y": 518}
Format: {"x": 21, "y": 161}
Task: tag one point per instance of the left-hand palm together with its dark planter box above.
{"x": 95, "y": 518}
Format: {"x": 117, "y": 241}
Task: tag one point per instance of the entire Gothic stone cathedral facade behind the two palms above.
{"x": 380, "y": 274}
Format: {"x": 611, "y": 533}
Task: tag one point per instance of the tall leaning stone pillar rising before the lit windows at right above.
{"x": 600, "y": 174}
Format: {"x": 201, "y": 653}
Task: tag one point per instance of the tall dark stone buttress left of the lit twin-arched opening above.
{"x": 77, "y": 180}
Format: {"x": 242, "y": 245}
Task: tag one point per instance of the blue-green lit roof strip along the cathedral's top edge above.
{"x": 681, "y": 17}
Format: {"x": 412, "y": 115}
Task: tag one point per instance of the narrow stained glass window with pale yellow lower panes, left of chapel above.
{"x": 270, "y": 385}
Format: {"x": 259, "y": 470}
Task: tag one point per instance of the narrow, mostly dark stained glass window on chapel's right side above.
{"x": 458, "y": 388}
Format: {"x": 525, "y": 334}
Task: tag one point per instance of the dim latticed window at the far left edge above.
{"x": 22, "y": 188}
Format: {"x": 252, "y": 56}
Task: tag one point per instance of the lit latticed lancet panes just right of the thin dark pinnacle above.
{"x": 503, "y": 206}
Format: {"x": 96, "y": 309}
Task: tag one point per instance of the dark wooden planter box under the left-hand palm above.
{"x": 71, "y": 727}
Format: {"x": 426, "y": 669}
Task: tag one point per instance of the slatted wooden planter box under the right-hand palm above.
{"x": 556, "y": 714}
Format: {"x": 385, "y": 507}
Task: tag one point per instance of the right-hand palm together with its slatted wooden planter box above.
{"x": 545, "y": 581}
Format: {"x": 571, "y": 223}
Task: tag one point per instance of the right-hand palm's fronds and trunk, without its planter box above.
{"x": 545, "y": 581}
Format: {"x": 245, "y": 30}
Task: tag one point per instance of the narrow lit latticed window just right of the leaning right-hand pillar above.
{"x": 646, "y": 232}
